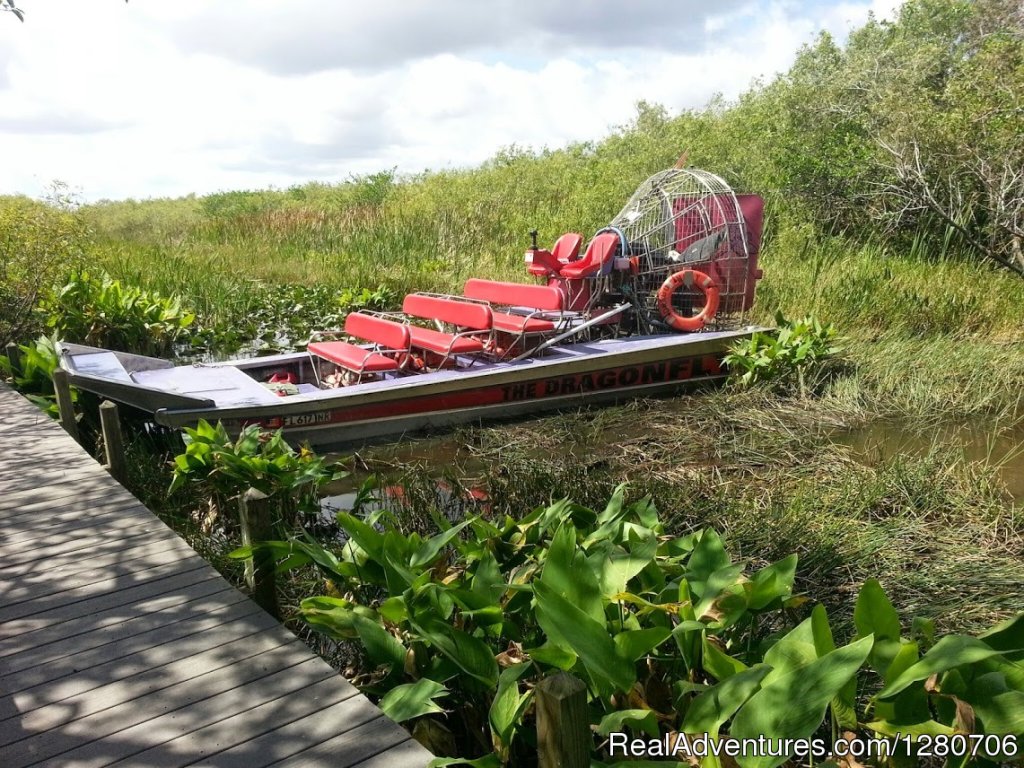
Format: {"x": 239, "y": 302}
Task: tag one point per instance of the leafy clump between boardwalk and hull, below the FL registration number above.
{"x": 224, "y": 470}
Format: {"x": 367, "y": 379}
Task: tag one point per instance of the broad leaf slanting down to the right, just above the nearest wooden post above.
{"x": 586, "y": 637}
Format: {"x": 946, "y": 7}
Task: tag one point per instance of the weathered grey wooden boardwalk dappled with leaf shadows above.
{"x": 119, "y": 646}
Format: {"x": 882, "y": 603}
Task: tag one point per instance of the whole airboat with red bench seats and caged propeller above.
{"x": 650, "y": 307}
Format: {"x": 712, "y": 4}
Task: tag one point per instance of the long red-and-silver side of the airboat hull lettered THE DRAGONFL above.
{"x": 572, "y": 376}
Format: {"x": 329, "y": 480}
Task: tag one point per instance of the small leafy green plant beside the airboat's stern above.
{"x": 794, "y": 349}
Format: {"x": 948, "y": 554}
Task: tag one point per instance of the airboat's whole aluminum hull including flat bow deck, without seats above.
{"x": 569, "y": 376}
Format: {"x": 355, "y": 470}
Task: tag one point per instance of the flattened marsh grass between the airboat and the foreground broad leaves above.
{"x": 937, "y": 529}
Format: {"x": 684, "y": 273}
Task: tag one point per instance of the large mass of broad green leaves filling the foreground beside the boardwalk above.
{"x": 669, "y": 633}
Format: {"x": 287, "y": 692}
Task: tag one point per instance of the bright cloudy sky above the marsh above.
{"x": 157, "y": 99}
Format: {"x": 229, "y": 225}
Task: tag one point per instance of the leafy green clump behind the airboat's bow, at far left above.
{"x": 102, "y": 312}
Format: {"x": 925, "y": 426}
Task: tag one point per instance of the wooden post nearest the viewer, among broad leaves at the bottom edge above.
{"x": 564, "y": 739}
